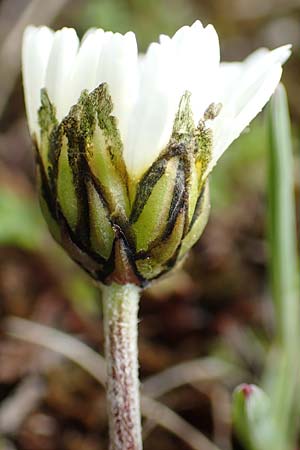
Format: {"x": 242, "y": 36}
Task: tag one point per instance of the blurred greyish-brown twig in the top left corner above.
{"x": 37, "y": 12}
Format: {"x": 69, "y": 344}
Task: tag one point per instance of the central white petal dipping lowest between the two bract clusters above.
{"x": 152, "y": 118}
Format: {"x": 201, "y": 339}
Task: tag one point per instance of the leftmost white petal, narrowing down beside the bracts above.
{"x": 37, "y": 44}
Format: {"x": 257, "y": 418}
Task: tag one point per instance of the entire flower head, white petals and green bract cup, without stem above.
{"x": 125, "y": 143}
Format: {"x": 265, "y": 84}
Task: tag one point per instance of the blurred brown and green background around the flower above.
{"x": 218, "y": 305}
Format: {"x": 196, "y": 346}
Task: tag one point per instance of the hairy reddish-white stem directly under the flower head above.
{"x": 120, "y": 310}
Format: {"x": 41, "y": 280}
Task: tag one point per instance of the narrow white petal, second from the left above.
{"x": 60, "y": 65}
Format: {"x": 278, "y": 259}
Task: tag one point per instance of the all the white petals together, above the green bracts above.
{"x": 146, "y": 91}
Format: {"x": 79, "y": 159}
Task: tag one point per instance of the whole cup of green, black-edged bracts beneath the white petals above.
{"x": 117, "y": 228}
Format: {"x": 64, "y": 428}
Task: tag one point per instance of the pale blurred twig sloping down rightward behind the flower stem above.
{"x": 94, "y": 364}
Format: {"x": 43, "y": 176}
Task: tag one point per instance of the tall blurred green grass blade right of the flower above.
{"x": 281, "y": 374}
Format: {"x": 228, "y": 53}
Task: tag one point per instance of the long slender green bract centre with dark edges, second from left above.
{"x": 66, "y": 192}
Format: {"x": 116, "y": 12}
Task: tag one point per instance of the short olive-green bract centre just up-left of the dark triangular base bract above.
{"x": 101, "y": 232}
